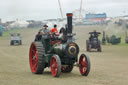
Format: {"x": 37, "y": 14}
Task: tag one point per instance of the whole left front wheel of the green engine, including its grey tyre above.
{"x": 55, "y": 65}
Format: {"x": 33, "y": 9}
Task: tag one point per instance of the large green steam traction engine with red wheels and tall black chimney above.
{"x": 60, "y": 54}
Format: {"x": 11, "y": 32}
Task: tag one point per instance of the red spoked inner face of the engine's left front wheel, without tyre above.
{"x": 54, "y": 66}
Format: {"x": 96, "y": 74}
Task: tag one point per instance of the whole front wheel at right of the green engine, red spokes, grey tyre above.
{"x": 84, "y": 65}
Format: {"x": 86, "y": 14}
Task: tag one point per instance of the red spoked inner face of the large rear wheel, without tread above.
{"x": 33, "y": 58}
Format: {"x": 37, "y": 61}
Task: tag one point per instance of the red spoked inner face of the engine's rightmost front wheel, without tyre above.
{"x": 83, "y": 64}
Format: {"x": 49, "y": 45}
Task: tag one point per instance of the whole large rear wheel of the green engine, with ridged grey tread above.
{"x": 36, "y": 58}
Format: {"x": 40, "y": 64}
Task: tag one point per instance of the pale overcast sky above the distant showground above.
{"x": 46, "y": 9}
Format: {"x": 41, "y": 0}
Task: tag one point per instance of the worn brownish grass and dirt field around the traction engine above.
{"x": 109, "y": 67}
